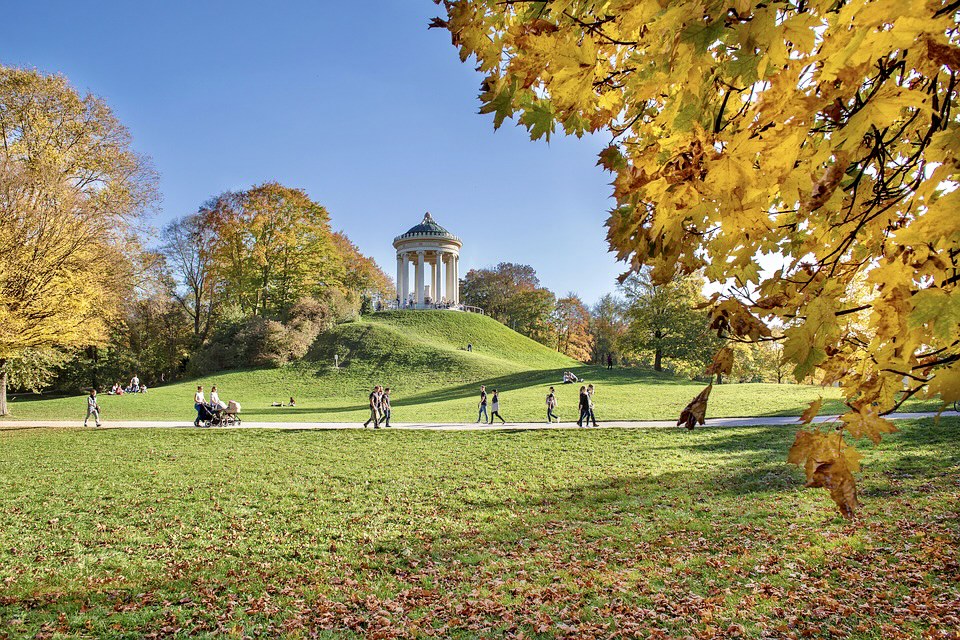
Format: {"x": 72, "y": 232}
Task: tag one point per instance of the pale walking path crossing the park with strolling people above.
{"x": 450, "y": 426}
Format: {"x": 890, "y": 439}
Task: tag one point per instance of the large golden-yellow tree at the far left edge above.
{"x": 70, "y": 188}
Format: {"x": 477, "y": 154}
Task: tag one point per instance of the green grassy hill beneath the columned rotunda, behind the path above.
{"x": 422, "y": 356}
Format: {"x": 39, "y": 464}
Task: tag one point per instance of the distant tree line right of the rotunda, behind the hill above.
{"x": 663, "y": 327}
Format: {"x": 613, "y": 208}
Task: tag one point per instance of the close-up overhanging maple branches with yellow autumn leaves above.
{"x": 821, "y": 133}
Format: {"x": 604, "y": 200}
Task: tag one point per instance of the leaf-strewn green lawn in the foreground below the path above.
{"x": 576, "y": 533}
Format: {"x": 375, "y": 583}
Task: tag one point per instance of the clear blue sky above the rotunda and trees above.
{"x": 357, "y": 103}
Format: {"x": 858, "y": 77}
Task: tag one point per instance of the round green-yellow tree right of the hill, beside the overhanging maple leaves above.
{"x": 664, "y": 322}
